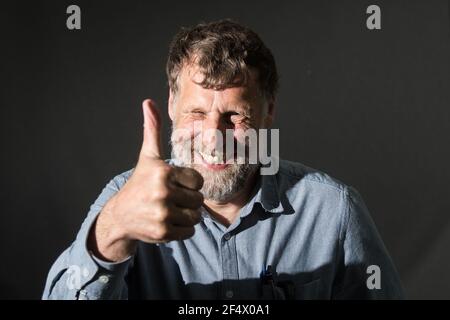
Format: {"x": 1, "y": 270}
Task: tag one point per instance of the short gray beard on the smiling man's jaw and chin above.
{"x": 218, "y": 185}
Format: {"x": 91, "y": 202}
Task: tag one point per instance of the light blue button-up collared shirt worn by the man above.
{"x": 313, "y": 231}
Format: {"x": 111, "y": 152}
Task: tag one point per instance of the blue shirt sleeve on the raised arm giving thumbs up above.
{"x": 76, "y": 274}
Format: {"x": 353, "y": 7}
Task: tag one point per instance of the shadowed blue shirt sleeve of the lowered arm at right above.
{"x": 365, "y": 269}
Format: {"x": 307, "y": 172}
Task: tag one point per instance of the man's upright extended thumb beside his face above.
{"x": 151, "y": 146}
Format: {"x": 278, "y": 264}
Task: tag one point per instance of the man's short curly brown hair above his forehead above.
{"x": 225, "y": 52}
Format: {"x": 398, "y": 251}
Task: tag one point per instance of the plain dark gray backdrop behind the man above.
{"x": 371, "y": 108}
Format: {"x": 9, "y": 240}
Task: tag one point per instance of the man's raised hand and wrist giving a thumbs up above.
{"x": 159, "y": 202}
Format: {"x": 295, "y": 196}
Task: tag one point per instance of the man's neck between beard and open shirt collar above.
{"x": 227, "y": 211}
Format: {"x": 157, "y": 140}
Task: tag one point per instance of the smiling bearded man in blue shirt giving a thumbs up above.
{"x": 213, "y": 229}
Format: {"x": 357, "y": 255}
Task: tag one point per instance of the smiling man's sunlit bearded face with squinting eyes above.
{"x": 199, "y": 113}
